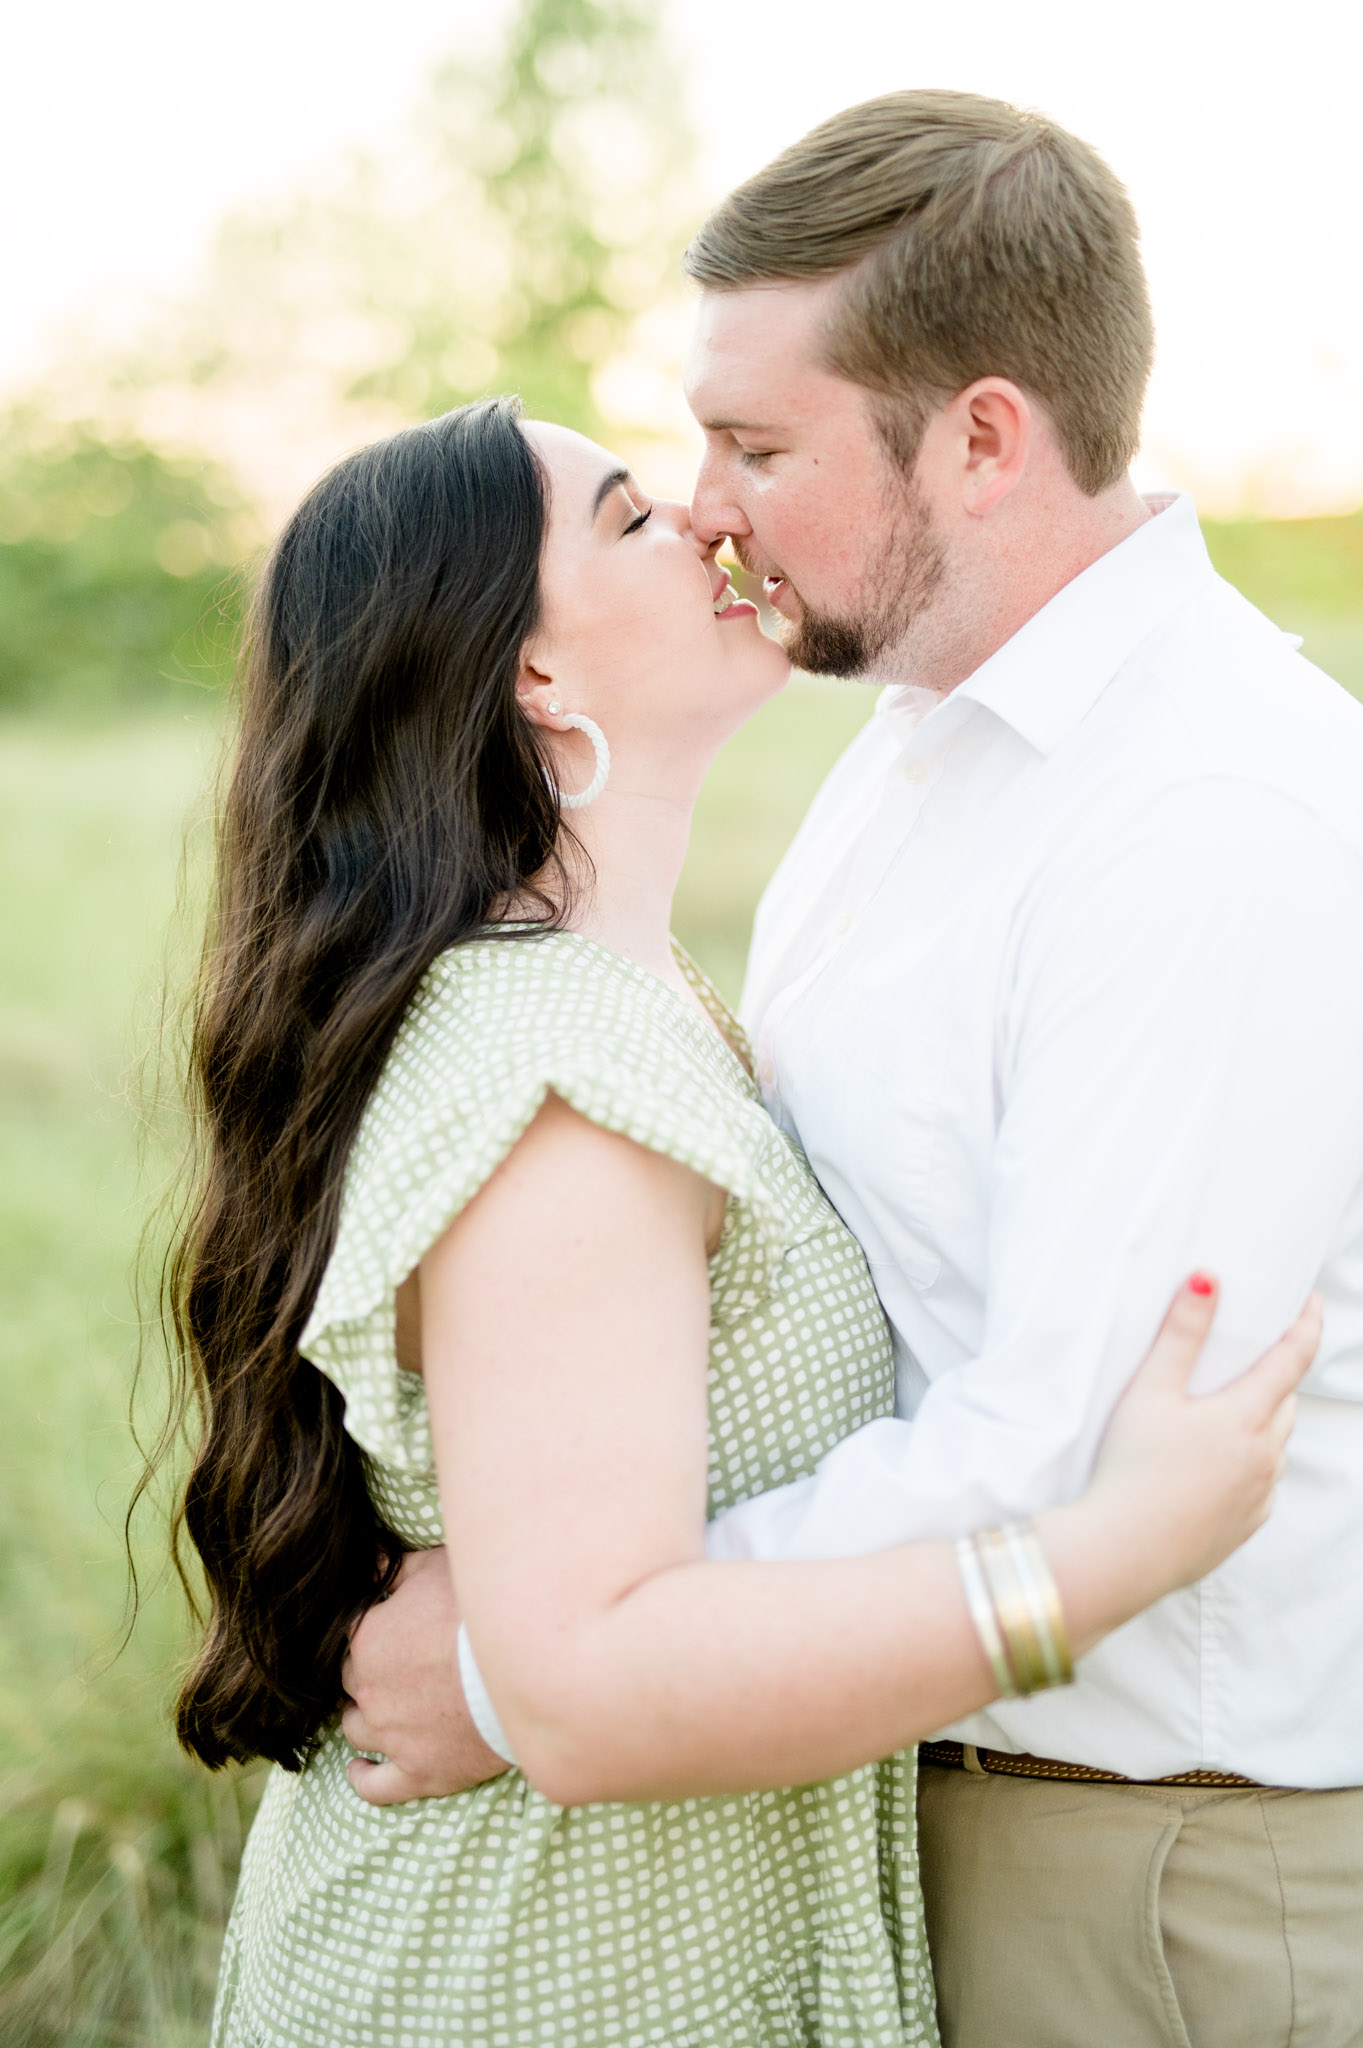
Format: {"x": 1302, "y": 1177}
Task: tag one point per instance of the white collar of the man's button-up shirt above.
{"x": 1053, "y": 671}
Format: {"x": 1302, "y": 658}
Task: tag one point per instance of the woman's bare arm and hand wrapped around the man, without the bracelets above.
{"x": 566, "y": 1345}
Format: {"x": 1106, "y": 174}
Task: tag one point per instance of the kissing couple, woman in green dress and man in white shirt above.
{"x": 631, "y": 1433}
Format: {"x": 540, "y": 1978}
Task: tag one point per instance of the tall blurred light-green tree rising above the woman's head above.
{"x": 586, "y": 169}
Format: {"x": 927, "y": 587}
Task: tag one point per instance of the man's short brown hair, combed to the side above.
{"x": 979, "y": 241}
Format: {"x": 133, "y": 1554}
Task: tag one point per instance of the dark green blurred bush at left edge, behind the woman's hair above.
{"x": 114, "y": 568}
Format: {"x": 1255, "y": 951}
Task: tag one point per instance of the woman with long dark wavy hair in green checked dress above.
{"x": 498, "y": 1246}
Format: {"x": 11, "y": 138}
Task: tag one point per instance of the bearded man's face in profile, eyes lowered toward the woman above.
{"x": 801, "y": 480}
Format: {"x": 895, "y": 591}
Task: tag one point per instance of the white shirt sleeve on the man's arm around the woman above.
{"x": 1180, "y": 1084}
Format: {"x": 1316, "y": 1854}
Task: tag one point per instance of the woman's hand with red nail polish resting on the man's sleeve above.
{"x": 1184, "y": 1480}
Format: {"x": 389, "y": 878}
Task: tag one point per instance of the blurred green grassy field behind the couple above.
{"x": 116, "y": 1857}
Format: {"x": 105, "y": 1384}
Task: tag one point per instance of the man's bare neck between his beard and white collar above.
{"x": 998, "y": 595}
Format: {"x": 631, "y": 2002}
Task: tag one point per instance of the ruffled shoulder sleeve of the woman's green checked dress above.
{"x": 498, "y": 1027}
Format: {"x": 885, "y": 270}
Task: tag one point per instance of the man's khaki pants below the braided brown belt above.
{"x": 1088, "y": 1916}
